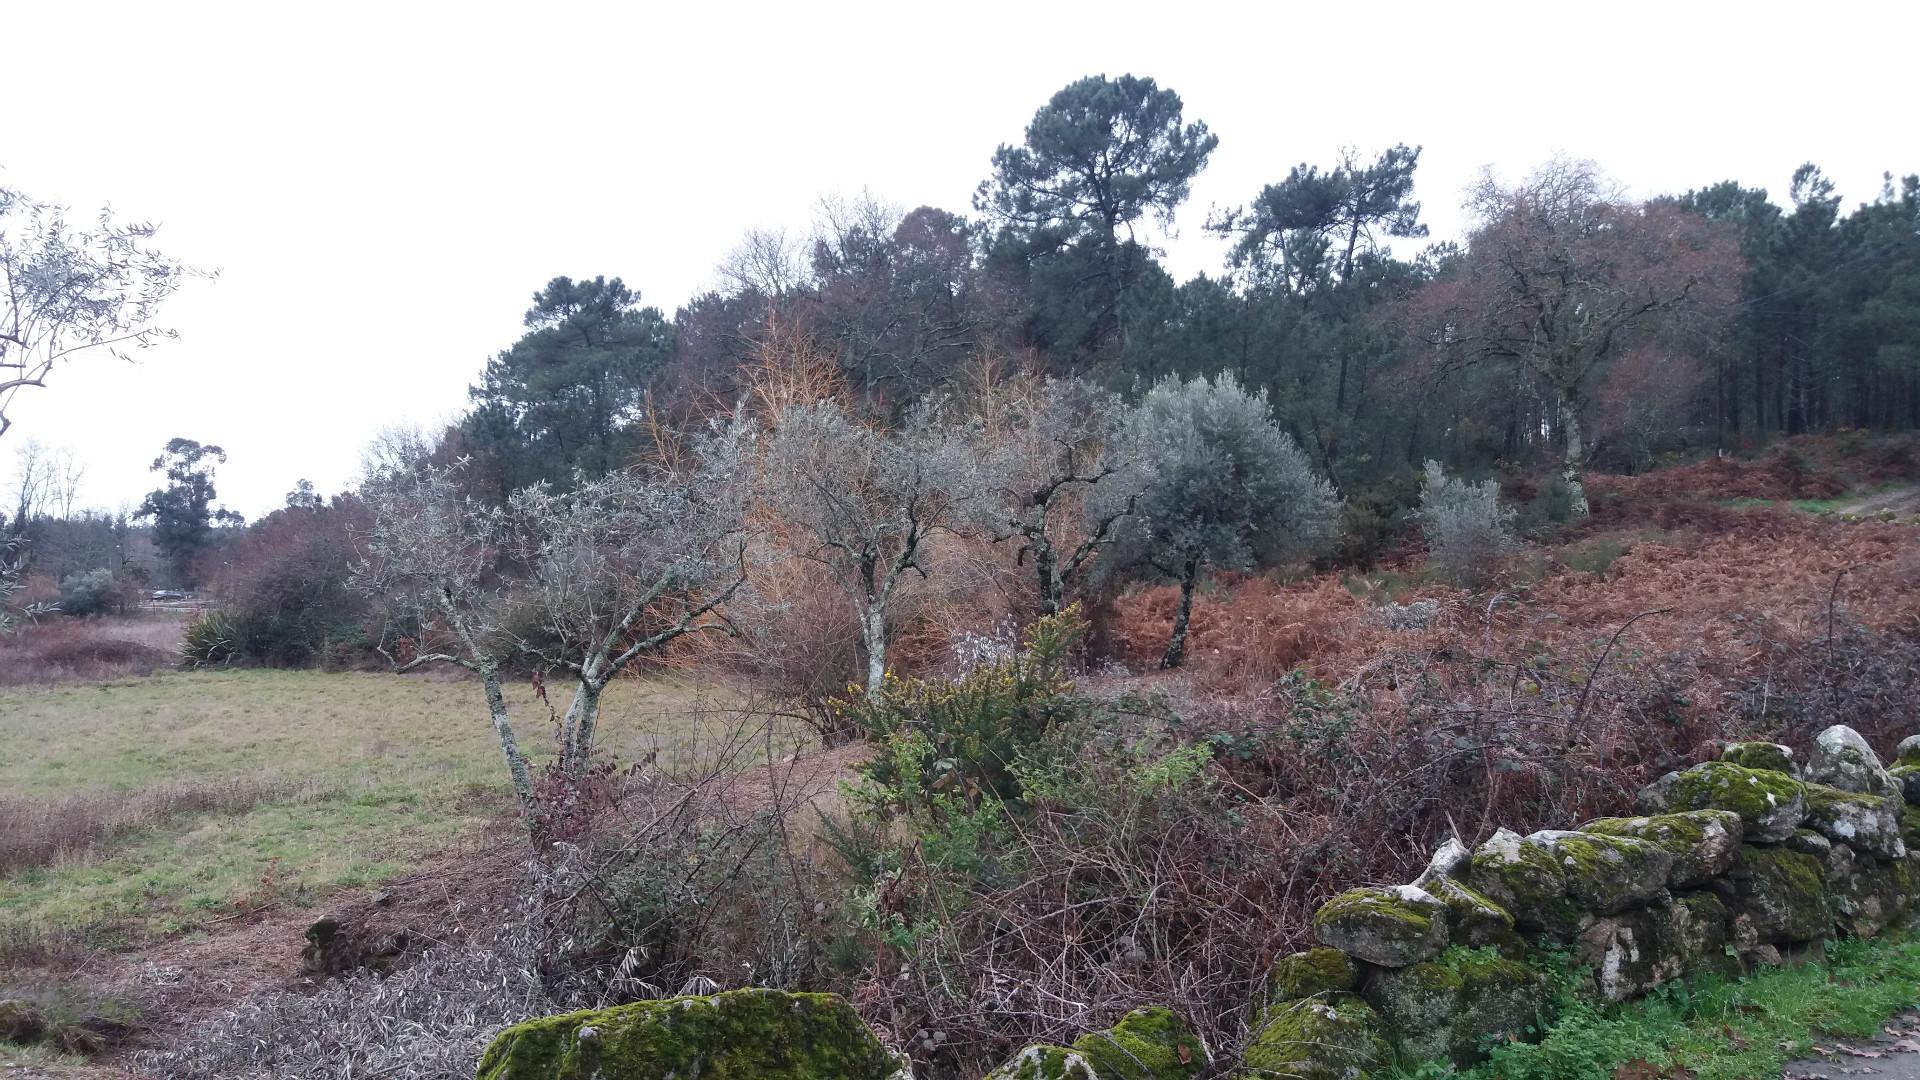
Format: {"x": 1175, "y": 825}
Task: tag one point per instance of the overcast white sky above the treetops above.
{"x": 385, "y": 185}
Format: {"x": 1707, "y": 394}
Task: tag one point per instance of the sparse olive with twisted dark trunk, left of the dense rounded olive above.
{"x": 1061, "y": 472}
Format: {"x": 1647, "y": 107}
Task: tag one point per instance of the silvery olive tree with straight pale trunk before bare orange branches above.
{"x": 863, "y": 503}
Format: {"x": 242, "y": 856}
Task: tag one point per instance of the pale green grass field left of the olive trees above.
{"x": 199, "y": 795}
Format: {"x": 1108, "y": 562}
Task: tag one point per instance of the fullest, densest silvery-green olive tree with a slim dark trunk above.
{"x": 1228, "y": 489}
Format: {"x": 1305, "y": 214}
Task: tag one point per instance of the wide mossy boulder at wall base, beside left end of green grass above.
{"x": 1458, "y": 1004}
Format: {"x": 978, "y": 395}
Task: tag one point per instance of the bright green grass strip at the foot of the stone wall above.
{"x": 1717, "y": 1029}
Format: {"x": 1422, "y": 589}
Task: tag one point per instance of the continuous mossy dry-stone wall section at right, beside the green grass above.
{"x": 1742, "y": 862}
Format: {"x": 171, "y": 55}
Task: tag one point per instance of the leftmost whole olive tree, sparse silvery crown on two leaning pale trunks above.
{"x": 587, "y": 581}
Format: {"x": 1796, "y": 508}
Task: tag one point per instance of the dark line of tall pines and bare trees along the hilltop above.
{"x": 1572, "y": 324}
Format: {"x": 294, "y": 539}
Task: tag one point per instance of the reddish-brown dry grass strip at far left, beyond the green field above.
{"x": 74, "y": 650}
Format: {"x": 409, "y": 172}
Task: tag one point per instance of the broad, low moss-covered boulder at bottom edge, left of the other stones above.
{"x": 738, "y": 1035}
